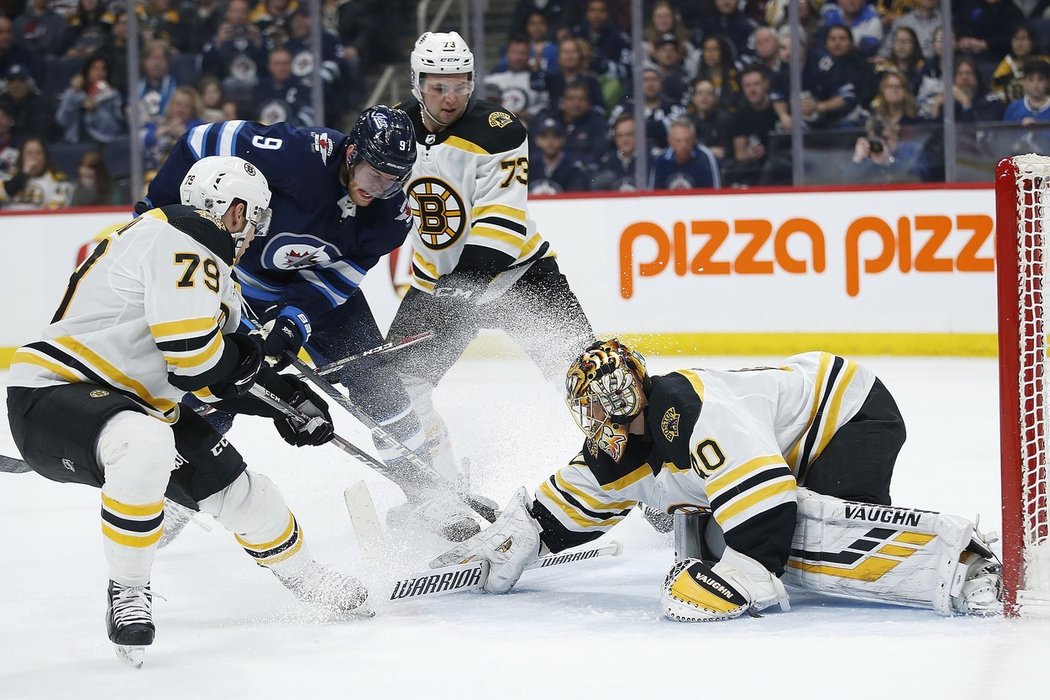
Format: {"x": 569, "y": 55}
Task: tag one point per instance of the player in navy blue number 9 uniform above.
{"x": 339, "y": 207}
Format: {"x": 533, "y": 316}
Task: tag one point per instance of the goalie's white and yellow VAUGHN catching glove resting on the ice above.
{"x": 698, "y": 592}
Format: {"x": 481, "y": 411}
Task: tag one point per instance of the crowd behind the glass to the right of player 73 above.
{"x": 716, "y": 88}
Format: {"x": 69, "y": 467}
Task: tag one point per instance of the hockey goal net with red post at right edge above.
{"x": 1022, "y": 231}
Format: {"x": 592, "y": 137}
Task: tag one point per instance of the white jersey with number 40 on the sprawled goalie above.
{"x": 736, "y": 442}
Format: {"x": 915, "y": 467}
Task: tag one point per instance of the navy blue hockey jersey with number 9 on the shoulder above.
{"x": 320, "y": 245}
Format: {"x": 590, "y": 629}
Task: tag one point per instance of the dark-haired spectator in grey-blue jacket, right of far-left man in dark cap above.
{"x": 91, "y": 110}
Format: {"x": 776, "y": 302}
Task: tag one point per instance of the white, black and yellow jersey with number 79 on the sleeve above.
{"x": 146, "y": 309}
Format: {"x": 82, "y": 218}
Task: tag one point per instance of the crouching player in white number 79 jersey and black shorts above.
{"x": 151, "y": 315}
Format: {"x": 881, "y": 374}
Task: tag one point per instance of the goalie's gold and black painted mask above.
{"x": 606, "y": 390}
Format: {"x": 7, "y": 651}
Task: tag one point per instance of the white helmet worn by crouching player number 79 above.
{"x": 216, "y": 182}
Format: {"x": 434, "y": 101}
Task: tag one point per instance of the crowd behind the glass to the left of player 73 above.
{"x": 65, "y": 99}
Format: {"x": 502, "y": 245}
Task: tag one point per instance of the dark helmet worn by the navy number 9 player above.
{"x": 384, "y": 138}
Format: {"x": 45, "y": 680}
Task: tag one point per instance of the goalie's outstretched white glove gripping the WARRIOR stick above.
{"x": 510, "y": 545}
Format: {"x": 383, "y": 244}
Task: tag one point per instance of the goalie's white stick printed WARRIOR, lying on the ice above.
{"x": 473, "y": 576}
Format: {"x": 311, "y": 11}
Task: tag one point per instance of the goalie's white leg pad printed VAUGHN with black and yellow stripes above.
{"x": 885, "y": 555}
